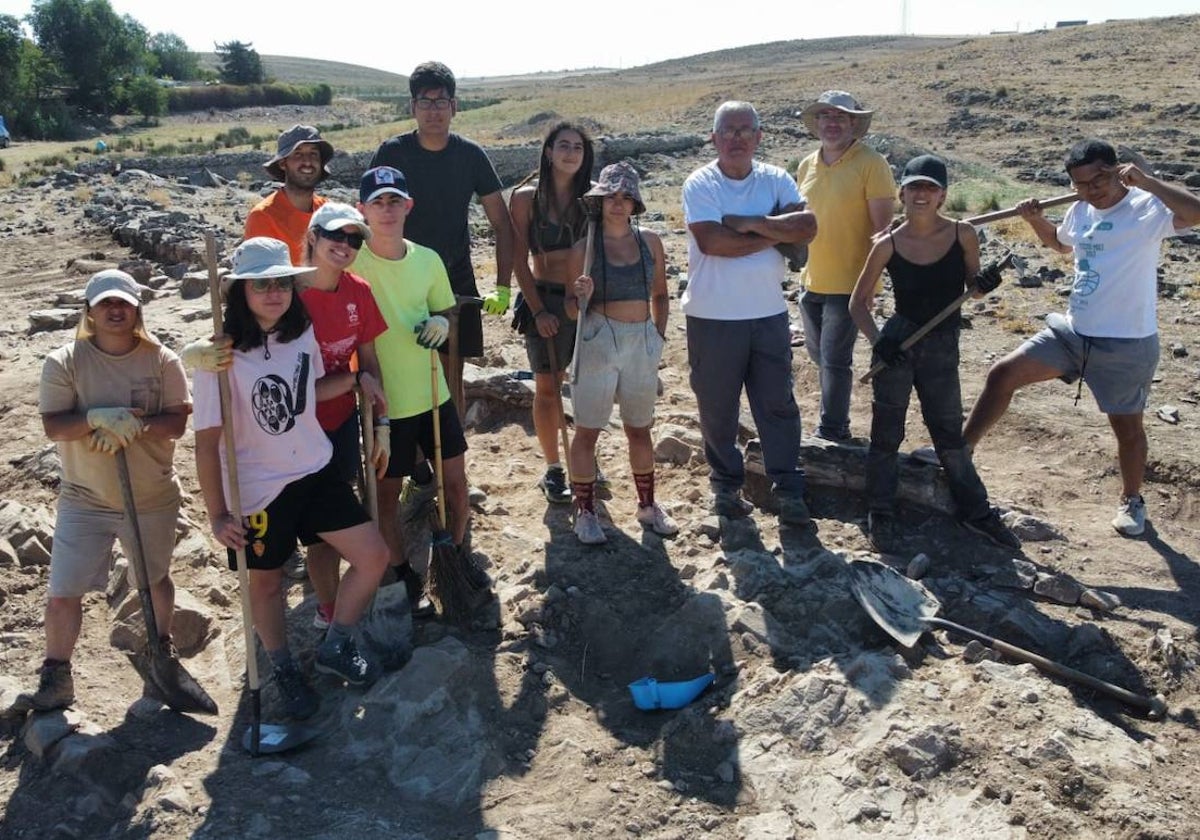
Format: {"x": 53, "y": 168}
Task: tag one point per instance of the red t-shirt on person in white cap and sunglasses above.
{"x": 343, "y": 320}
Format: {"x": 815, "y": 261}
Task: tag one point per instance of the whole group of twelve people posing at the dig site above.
{"x": 326, "y": 299}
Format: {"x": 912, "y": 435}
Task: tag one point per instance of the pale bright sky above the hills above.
{"x": 501, "y": 38}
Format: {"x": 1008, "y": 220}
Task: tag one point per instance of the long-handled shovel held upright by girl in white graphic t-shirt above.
{"x": 260, "y": 739}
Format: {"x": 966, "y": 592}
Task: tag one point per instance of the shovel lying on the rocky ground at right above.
{"x": 905, "y": 610}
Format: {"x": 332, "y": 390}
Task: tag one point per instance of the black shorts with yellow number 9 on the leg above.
{"x": 317, "y": 503}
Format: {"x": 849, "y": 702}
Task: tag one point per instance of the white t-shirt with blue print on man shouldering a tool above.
{"x": 1117, "y": 263}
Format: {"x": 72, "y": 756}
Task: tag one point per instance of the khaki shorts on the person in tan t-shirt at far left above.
{"x": 82, "y": 555}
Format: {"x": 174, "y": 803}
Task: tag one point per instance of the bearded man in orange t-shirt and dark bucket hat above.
{"x": 301, "y": 163}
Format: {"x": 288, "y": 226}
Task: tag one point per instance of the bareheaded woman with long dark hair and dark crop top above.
{"x": 548, "y": 220}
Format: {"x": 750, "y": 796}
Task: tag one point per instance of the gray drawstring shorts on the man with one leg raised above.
{"x": 1118, "y": 371}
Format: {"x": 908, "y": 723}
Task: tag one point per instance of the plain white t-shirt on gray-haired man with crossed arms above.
{"x": 735, "y": 289}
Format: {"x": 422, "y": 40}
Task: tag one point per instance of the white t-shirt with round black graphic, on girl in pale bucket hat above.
{"x": 278, "y": 437}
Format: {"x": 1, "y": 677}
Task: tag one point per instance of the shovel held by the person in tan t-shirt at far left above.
{"x": 166, "y": 679}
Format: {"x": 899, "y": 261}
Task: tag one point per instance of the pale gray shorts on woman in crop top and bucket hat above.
{"x": 617, "y": 362}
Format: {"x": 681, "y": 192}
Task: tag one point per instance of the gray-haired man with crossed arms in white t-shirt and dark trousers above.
{"x": 737, "y": 209}
